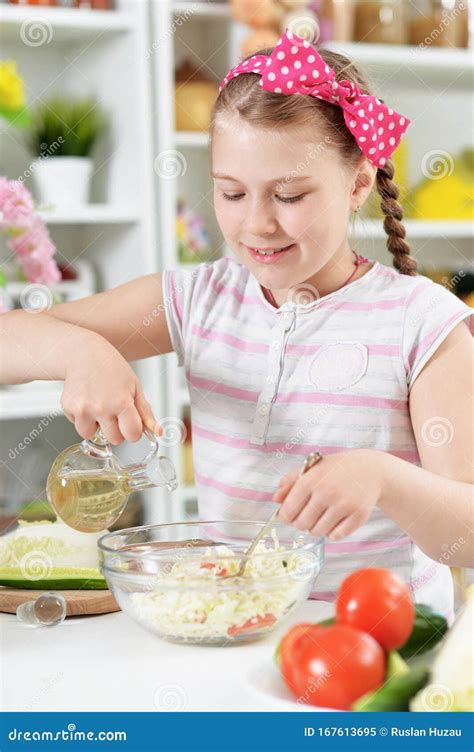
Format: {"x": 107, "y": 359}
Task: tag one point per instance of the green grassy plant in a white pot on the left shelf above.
{"x": 63, "y": 135}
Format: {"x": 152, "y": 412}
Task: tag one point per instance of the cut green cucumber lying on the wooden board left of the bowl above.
{"x": 58, "y": 578}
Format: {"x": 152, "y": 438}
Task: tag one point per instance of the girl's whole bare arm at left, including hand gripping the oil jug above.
{"x": 87, "y": 343}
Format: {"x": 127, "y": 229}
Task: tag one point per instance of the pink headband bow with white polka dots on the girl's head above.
{"x": 296, "y": 67}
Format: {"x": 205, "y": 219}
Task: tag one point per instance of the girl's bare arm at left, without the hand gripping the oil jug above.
{"x": 131, "y": 318}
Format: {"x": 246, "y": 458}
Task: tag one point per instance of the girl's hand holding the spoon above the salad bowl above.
{"x": 336, "y": 496}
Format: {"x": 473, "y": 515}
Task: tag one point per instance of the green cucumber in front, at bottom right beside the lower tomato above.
{"x": 395, "y": 694}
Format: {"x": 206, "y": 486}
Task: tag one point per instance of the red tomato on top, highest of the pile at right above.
{"x": 378, "y": 602}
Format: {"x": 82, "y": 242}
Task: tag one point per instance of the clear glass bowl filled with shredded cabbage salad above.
{"x": 175, "y": 579}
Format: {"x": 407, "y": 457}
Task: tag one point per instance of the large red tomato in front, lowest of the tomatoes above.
{"x": 338, "y": 666}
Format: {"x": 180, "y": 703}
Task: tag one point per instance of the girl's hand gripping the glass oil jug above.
{"x": 102, "y": 390}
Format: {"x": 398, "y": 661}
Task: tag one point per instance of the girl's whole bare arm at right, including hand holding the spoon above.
{"x": 434, "y": 503}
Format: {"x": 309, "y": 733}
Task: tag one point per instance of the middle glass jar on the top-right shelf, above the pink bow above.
{"x": 381, "y": 22}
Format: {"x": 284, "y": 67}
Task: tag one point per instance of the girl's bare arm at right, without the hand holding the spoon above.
{"x": 435, "y": 504}
